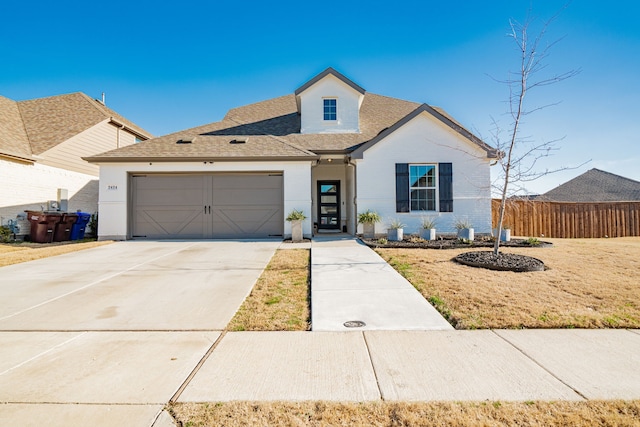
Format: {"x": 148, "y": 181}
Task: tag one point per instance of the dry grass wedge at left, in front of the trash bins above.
{"x": 14, "y": 253}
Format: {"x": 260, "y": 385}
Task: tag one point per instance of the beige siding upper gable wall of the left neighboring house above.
{"x": 97, "y": 139}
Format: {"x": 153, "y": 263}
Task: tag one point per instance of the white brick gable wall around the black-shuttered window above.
{"x": 426, "y": 140}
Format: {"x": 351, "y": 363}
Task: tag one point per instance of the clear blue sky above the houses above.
{"x": 174, "y": 65}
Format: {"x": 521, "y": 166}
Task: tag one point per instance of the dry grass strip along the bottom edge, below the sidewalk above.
{"x": 232, "y": 414}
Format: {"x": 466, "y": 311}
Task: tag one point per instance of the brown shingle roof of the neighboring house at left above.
{"x": 34, "y": 126}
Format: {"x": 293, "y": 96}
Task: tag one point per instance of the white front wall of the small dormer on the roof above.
{"x": 348, "y": 107}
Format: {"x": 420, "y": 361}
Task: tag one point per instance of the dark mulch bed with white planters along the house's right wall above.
{"x": 447, "y": 242}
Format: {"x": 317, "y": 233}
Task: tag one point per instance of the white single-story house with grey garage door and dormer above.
{"x": 330, "y": 149}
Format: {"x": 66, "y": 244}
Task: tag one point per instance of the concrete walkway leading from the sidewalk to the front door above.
{"x": 350, "y": 282}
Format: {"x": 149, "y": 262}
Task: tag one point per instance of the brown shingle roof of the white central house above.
{"x": 273, "y": 131}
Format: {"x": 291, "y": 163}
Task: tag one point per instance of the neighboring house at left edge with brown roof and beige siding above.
{"x": 42, "y": 142}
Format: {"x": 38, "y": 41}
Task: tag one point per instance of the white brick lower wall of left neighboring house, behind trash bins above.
{"x": 31, "y": 186}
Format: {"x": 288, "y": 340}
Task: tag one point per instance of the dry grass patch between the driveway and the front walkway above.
{"x": 280, "y": 299}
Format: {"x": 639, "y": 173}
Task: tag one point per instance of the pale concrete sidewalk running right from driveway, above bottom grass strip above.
{"x": 503, "y": 365}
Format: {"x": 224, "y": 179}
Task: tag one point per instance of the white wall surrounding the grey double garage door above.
{"x": 114, "y": 189}
